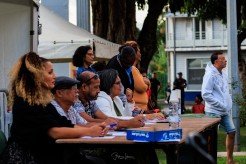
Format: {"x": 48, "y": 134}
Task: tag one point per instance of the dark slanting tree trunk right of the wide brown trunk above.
{"x": 147, "y": 37}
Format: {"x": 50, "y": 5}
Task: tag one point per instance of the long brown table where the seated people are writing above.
{"x": 176, "y": 152}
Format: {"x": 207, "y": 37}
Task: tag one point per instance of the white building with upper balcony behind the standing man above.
{"x": 189, "y": 44}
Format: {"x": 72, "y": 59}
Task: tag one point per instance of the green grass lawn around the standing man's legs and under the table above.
{"x": 221, "y": 148}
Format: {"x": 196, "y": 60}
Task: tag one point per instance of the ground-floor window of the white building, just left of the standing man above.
{"x": 196, "y": 70}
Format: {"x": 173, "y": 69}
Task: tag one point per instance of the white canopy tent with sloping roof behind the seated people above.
{"x": 59, "y": 39}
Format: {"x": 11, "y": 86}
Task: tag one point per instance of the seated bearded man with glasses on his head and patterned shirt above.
{"x": 89, "y": 89}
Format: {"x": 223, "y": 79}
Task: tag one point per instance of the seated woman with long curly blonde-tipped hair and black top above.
{"x": 36, "y": 123}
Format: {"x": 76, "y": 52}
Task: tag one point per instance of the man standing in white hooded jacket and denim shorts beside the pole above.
{"x": 218, "y": 102}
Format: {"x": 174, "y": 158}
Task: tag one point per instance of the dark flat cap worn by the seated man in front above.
{"x": 63, "y": 82}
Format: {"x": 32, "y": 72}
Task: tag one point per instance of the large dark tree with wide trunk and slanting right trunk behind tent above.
{"x": 115, "y": 20}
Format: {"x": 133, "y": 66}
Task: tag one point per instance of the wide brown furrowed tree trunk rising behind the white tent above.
{"x": 114, "y": 20}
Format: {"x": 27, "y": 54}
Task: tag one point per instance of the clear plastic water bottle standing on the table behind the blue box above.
{"x": 173, "y": 116}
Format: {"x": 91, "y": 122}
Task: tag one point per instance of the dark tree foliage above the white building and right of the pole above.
{"x": 211, "y": 9}
